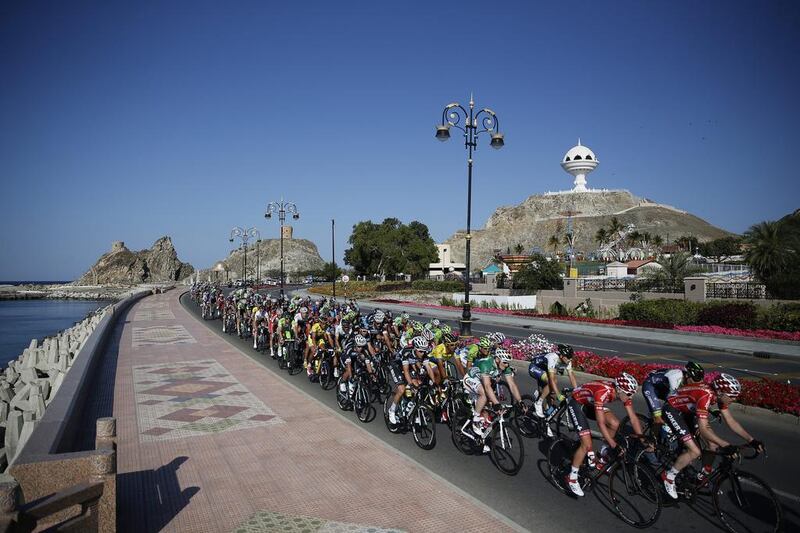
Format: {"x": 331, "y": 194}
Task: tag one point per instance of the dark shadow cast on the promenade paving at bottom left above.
{"x": 148, "y": 500}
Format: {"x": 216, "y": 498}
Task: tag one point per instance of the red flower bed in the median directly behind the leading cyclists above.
{"x": 769, "y": 394}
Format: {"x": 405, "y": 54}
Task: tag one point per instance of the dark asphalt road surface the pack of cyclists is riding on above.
{"x": 529, "y": 498}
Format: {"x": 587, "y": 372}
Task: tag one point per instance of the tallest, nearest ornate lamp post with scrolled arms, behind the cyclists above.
{"x": 484, "y": 121}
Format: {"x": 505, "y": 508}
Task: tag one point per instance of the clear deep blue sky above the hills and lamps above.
{"x": 128, "y": 121}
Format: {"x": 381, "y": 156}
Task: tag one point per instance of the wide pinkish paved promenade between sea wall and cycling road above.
{"x": 209, "y": 440}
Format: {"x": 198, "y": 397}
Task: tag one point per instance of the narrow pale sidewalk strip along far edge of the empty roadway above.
{"x": 725, "y": 343}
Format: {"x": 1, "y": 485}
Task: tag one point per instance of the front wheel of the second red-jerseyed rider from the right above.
{"x": 635, "y": 494}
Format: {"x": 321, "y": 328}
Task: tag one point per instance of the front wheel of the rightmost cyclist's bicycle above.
{"x": 745, "y": 503}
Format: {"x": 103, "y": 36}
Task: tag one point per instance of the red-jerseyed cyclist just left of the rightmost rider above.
{"x": 590, "y": 400}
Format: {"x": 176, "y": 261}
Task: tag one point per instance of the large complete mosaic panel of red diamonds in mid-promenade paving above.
{"x": 178, "y": 400}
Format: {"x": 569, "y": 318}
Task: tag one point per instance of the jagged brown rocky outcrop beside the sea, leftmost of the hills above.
{"x": 122, "y": 266}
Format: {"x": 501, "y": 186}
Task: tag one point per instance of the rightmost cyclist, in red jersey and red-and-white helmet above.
{"x": 695, "y": 400}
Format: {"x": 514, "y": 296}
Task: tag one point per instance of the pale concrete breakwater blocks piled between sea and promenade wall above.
{"x": 29, "y": 383}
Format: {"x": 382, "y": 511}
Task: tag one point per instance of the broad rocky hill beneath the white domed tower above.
{"x": 532, "y": 222}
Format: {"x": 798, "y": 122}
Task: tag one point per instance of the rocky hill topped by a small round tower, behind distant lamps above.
{"x": 300, "y": 255}
